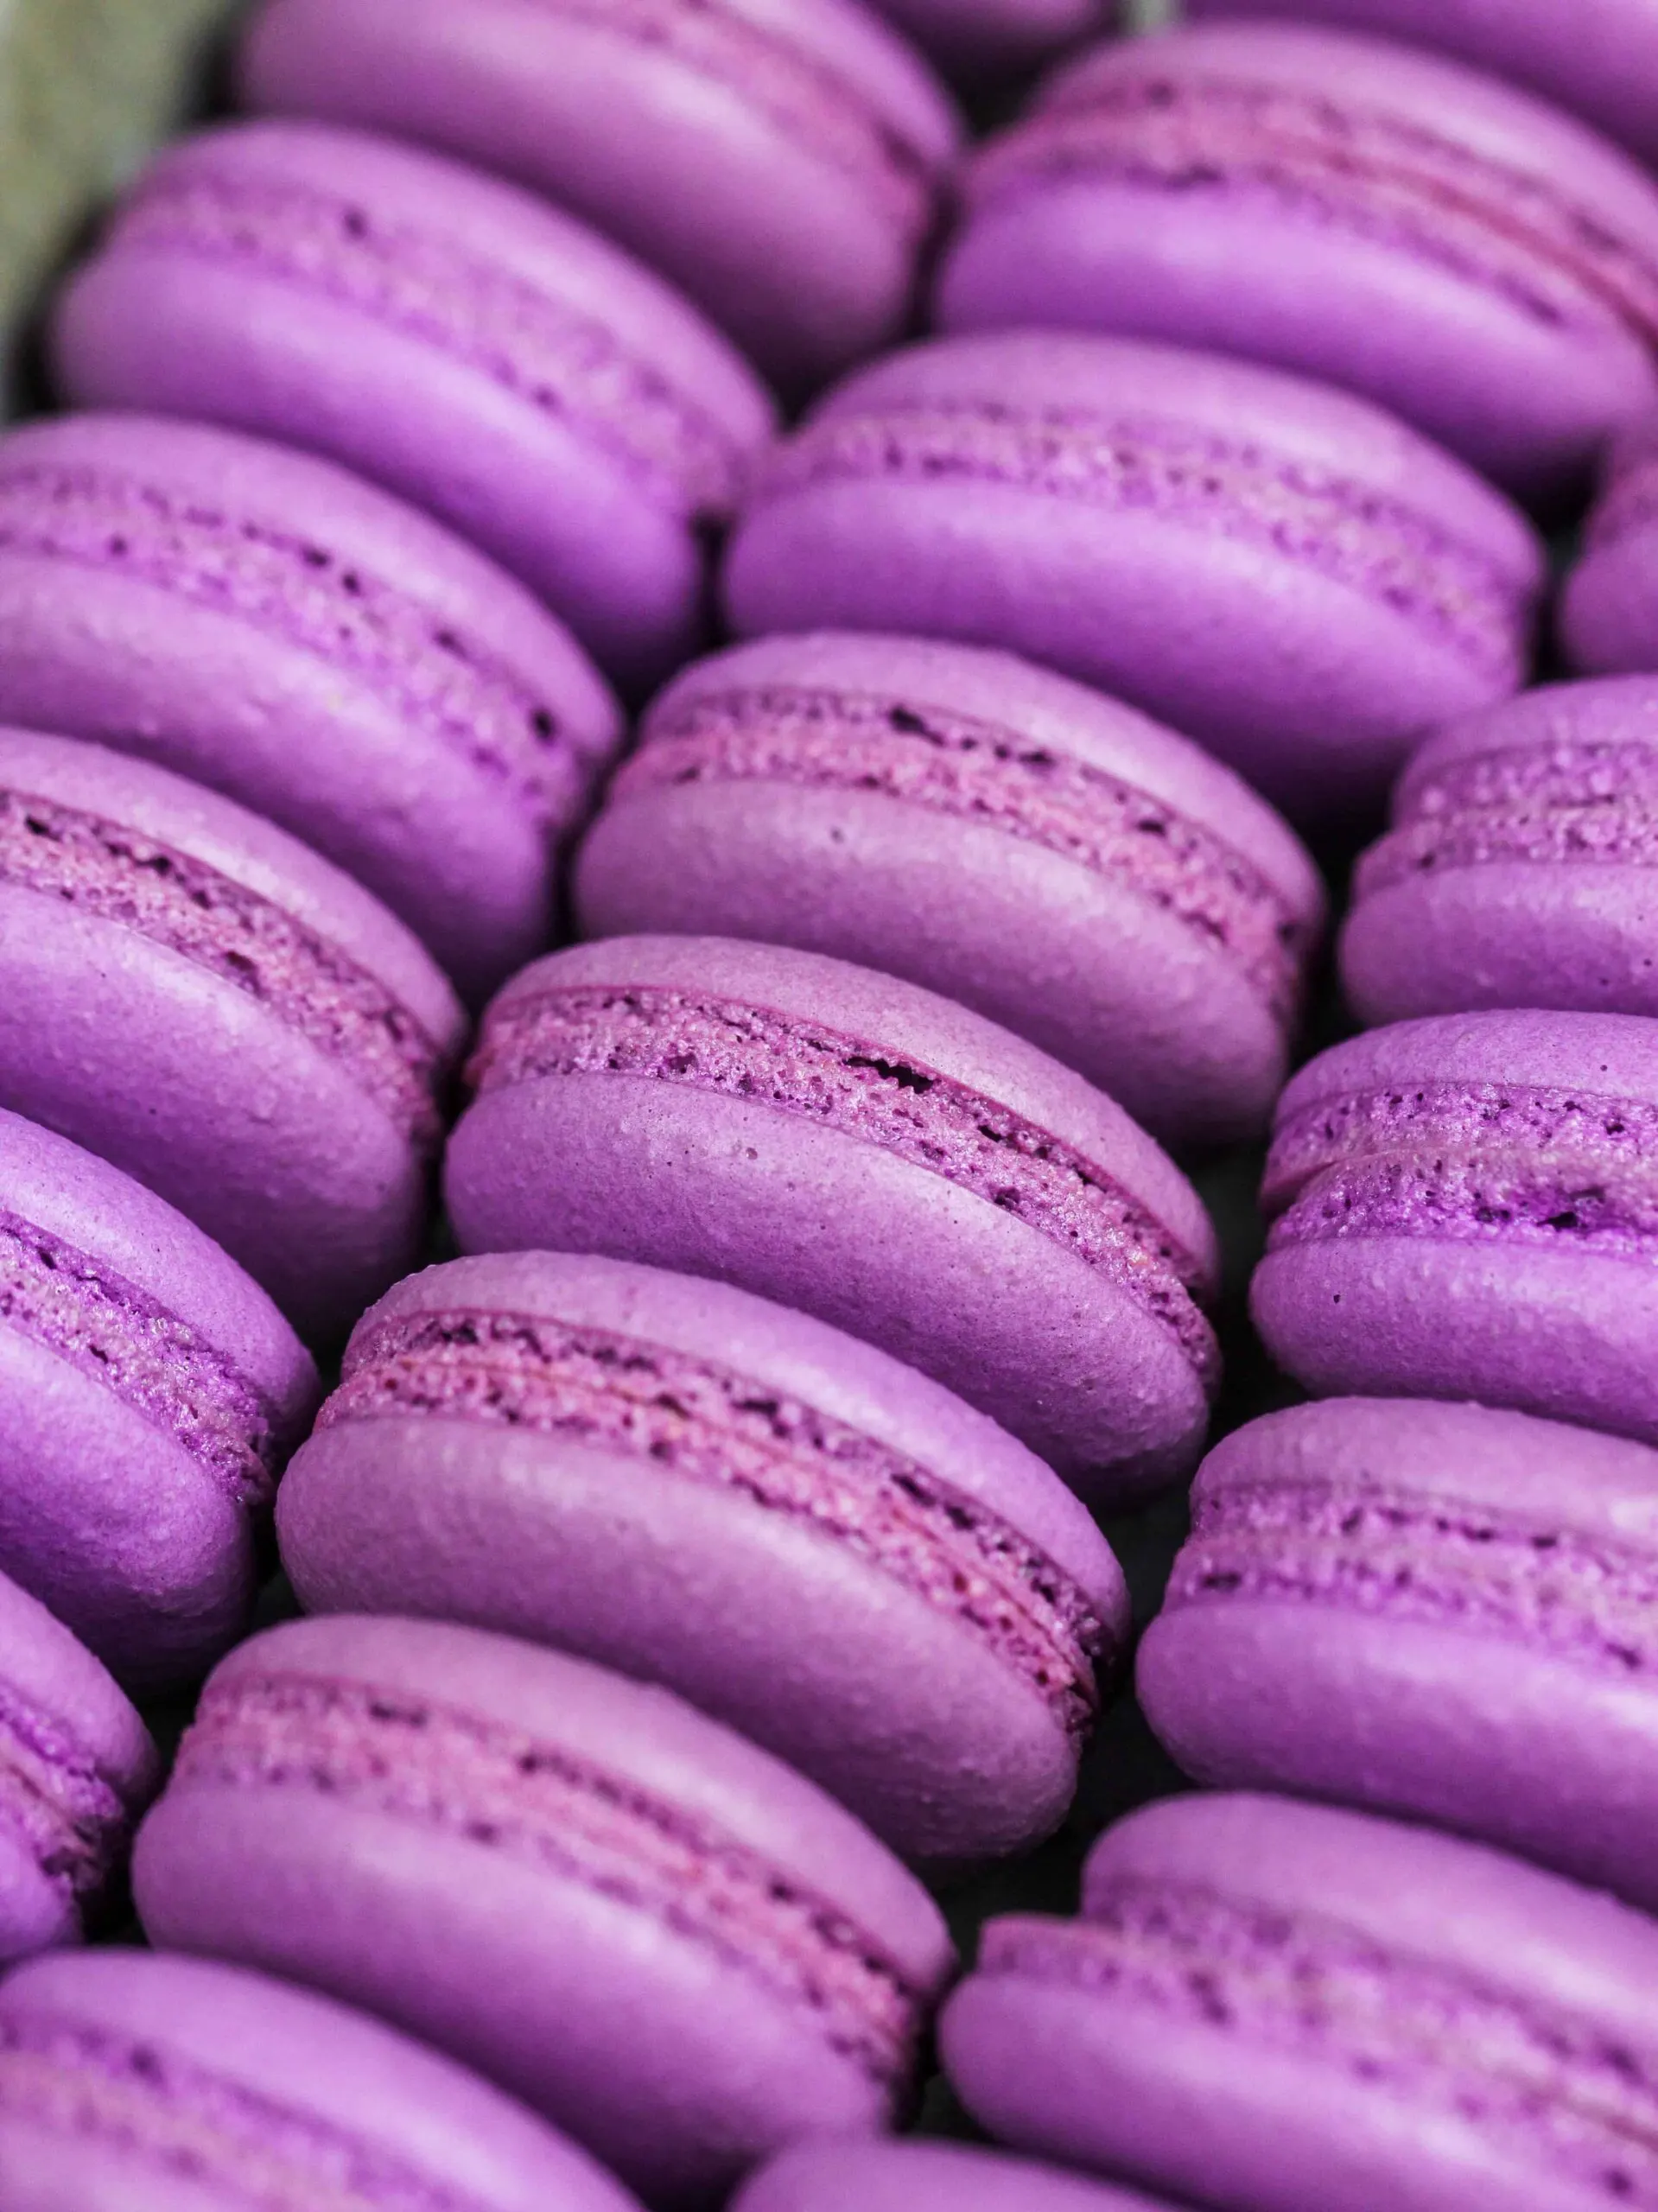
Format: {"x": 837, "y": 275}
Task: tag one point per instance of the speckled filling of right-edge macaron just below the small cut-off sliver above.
{"x": 1555, "y": 804}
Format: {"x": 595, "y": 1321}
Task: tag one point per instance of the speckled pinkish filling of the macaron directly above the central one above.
{"x": 983, "y": 773}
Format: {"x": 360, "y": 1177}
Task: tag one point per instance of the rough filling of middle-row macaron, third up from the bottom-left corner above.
{"x": 711, "y": 1426}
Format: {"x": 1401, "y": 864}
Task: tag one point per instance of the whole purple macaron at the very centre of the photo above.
{"x": 868, "y": 1154}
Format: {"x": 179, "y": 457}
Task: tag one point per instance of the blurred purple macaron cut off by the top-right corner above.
{"x": 1597, "y": 56}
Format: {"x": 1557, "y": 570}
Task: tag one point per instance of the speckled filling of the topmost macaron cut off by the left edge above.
{"x": 300, "y": 592}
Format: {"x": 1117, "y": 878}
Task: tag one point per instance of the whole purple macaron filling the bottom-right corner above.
{"x": 1272, "y": 2005}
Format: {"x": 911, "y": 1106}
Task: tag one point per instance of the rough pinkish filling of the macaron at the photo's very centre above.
{"x": 852, "y": 1087}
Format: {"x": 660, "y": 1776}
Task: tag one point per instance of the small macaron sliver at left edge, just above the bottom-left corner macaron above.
{"x": 76, "y": 1771}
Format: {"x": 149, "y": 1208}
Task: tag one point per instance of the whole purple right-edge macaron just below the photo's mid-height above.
{"x": 1467, "y": 1209}
